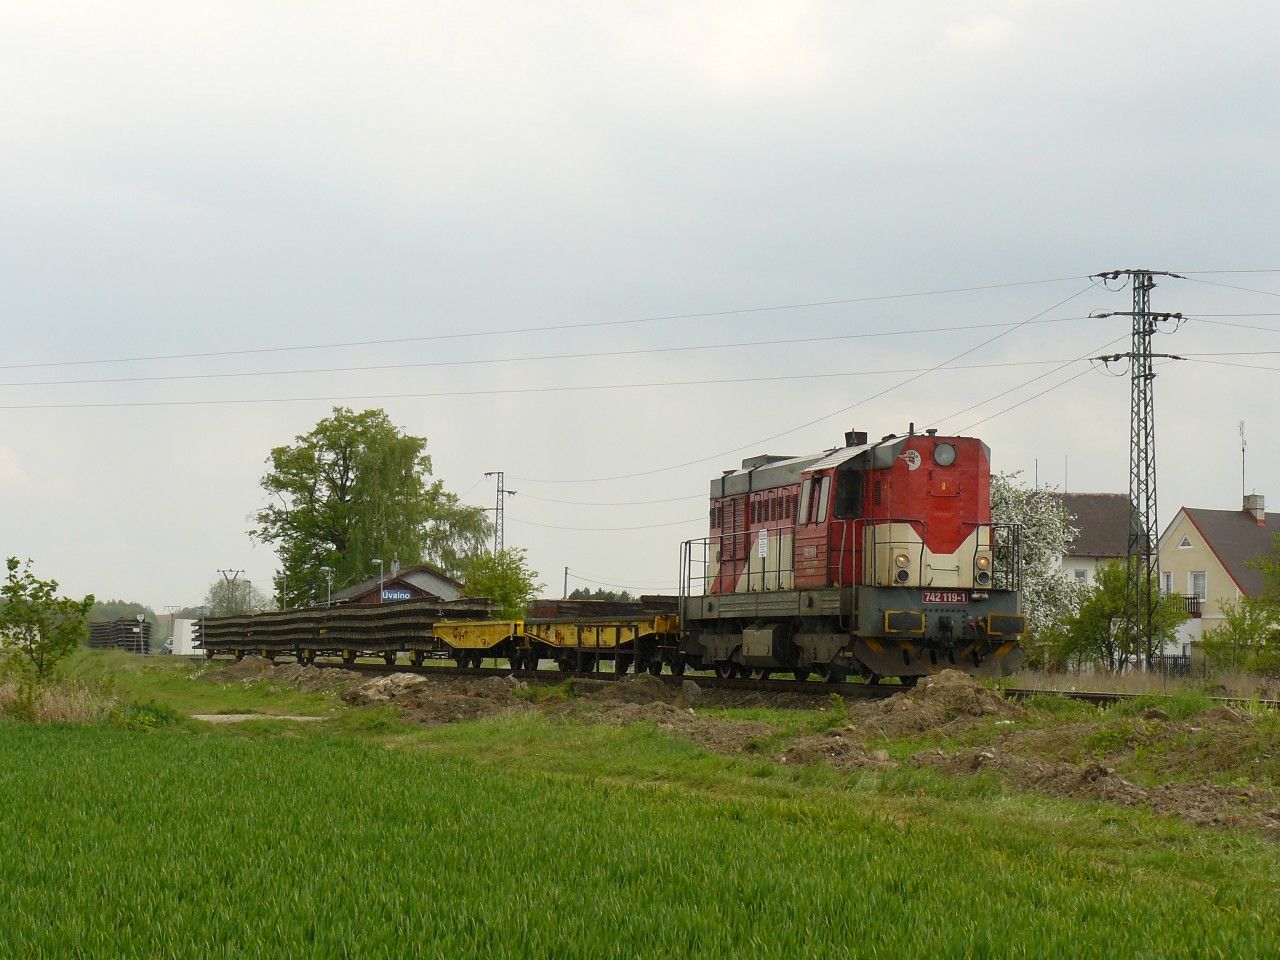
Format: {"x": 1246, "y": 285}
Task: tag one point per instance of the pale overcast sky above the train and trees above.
{"x": 198, "y": 179}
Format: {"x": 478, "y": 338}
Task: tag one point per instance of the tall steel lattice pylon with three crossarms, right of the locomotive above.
{"x": 1142, "y": 556}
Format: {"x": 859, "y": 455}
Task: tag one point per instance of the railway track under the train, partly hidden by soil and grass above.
{"x": 812, "y": 688}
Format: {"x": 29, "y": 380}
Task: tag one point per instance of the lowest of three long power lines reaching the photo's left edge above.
{"x": 506, "y": 391}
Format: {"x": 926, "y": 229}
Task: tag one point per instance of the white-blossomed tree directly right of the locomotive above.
{"x": 1049, "y": 597}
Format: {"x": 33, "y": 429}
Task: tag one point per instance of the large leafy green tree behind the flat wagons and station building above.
{"x": 356, "y": 490}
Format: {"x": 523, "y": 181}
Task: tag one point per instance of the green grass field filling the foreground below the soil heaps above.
{"x": 537, "y": 838}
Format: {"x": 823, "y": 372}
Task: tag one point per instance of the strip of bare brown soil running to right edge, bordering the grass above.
{"x": 1204, "y": 804}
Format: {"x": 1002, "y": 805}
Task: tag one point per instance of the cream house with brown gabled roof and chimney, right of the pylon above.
{"x": 1205, "y": 556}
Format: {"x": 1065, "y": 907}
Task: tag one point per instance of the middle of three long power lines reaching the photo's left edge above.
{"x": 484, "y": 362}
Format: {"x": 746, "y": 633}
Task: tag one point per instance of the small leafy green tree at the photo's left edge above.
{"x": 42, "y": 627}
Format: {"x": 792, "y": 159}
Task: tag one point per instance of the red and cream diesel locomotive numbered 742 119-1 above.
{"x": 872, "y": 559}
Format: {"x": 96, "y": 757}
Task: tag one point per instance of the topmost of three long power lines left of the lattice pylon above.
{"x": 424, "y": 339}
